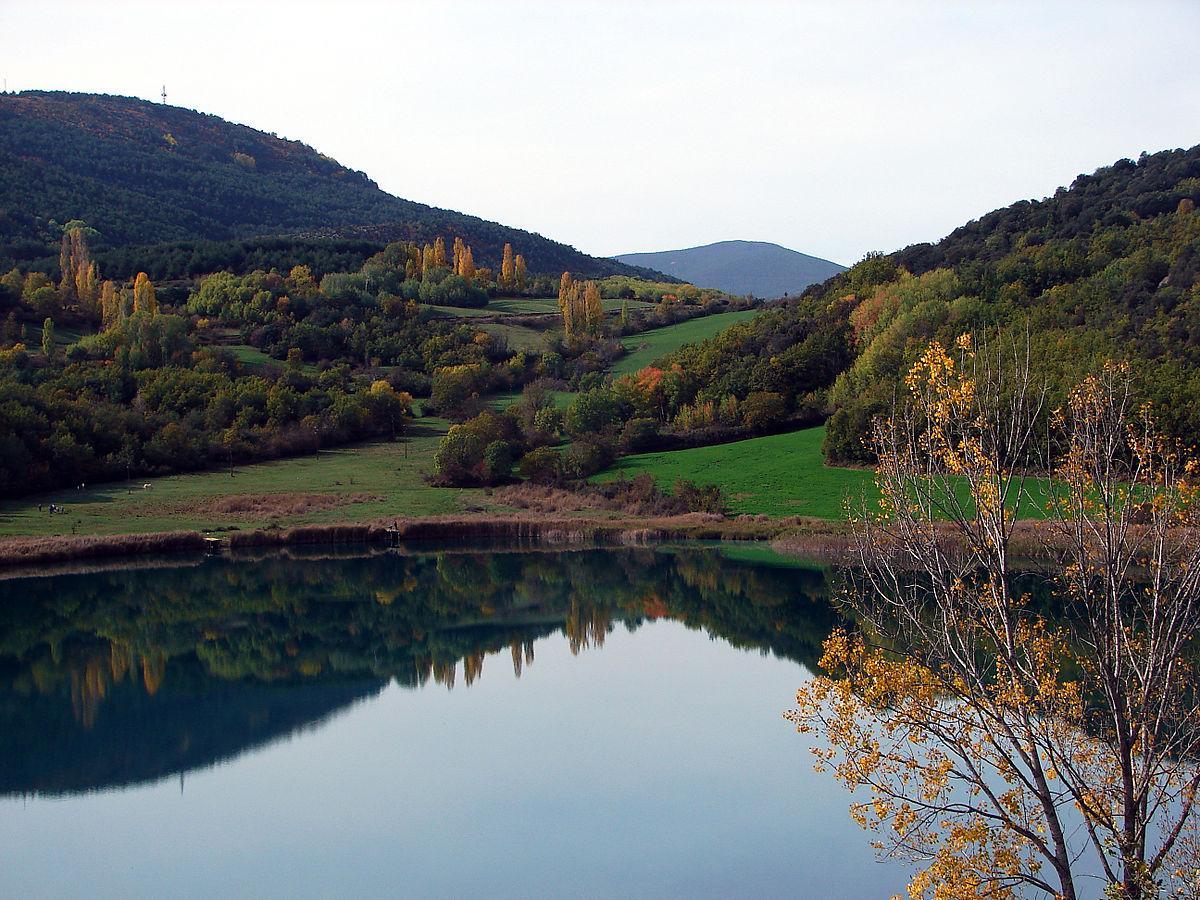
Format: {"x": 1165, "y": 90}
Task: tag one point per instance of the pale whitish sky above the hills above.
{"x": 835, "y": 129}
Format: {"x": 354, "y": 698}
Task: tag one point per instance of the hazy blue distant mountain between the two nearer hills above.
{"x": 766, "y": 271}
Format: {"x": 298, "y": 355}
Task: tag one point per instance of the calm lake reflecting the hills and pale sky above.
{"x": 602, "y": 723}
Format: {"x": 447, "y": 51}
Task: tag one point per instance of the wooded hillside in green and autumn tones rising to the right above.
{"x": 1107, "y": 269}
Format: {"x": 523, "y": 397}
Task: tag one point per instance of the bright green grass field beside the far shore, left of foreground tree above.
{"x": 777, "y": 476}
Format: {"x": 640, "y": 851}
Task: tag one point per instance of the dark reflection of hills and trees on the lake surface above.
{"x": 116, "y": 679}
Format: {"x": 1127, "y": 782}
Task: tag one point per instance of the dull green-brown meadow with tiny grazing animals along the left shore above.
{"x": 371, "y": 481}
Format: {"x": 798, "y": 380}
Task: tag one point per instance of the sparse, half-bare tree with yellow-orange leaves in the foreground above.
{"x": 1003, "y": 749}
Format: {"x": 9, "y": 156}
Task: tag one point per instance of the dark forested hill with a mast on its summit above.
{"x": 148, "y": 173}
